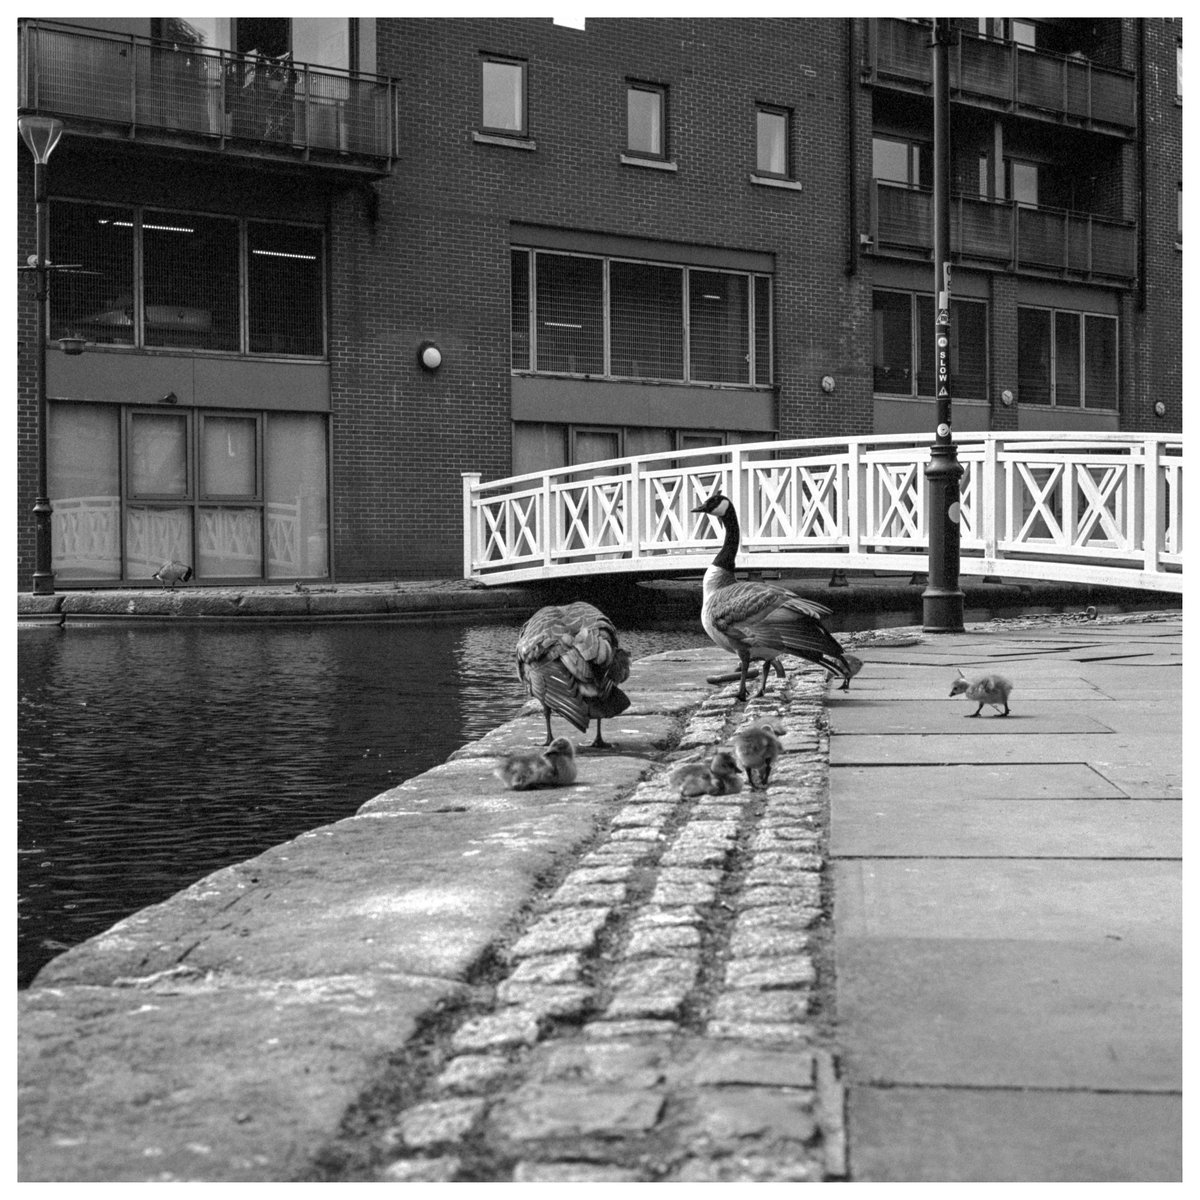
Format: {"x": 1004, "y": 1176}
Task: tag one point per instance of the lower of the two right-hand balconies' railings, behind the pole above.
{"x": 1004, "y": 236}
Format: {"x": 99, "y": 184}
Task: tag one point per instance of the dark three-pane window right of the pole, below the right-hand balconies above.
{"x": 1066, "y": 359}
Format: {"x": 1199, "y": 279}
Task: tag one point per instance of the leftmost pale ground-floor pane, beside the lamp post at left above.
{"x": 83, "y": 463}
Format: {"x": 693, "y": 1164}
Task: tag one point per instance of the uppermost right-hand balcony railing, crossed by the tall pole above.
{"x": 994, "y": 74}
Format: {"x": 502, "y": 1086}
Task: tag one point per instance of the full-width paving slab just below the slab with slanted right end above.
{"x": 923, "y": 826}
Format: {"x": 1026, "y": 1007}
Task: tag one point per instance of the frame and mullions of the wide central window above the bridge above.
{"x": 753, "y": 381}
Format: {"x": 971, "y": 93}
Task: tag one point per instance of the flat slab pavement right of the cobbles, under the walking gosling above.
{"x": 1007, "y": 908}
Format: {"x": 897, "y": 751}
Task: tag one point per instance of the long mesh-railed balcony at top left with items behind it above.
{"x": 117, "y": 86}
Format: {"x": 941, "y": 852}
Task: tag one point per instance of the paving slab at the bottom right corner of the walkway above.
{"x": 908, "y": 1135}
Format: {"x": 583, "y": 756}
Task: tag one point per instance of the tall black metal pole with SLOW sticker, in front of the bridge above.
{"x": 943, "y": 597}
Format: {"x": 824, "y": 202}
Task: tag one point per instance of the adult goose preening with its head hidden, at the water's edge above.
{"x": 571, "y": 663}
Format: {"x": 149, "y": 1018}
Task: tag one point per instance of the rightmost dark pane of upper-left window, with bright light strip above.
{"x": 285, "y": 286}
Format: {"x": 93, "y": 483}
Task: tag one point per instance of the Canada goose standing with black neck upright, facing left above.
{"x": 761, "y": 621}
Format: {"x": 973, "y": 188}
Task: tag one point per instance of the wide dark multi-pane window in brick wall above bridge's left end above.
{"x": 631, "y": 320}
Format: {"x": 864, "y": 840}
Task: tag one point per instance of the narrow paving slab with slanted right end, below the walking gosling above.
{"x": 968, "y": 781}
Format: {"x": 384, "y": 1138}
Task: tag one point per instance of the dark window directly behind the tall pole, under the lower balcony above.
{"x": 905, "y": 353}
